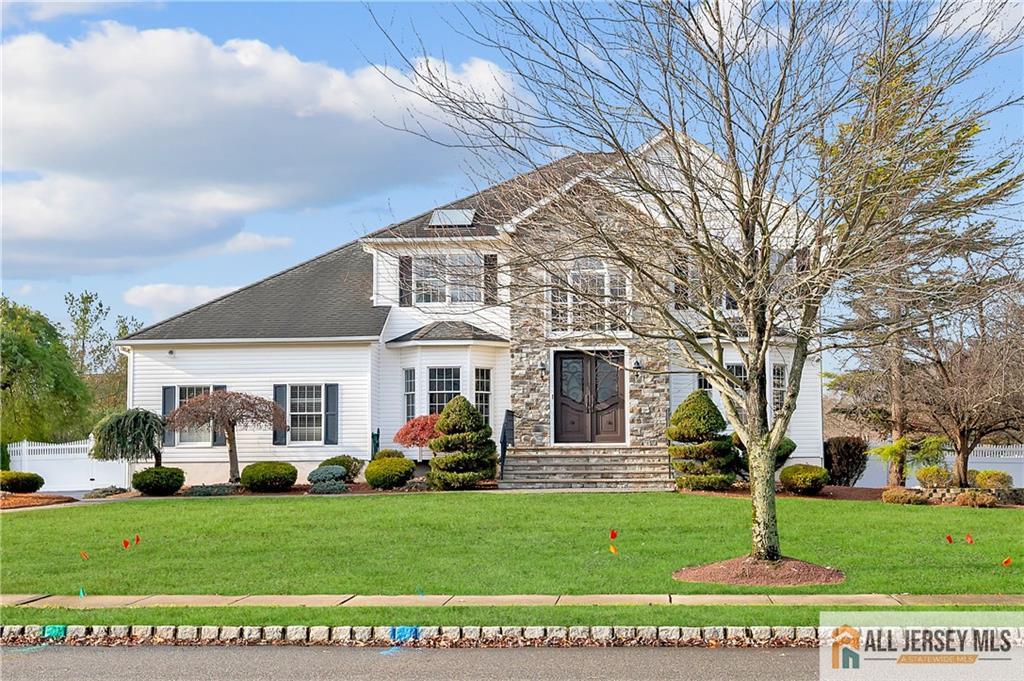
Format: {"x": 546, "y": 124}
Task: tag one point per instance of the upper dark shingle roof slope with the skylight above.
{"x": 499, "y": 204}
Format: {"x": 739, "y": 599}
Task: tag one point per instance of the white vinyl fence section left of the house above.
{"x": 67, "y": 466}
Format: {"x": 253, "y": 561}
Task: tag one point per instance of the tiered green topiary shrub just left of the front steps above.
{"x": 465, "y": 449}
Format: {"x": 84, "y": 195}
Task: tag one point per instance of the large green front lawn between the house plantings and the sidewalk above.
{"x": 468, "y": 543}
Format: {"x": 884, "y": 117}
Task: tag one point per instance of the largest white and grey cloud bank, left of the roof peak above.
{"x": 147, "y": 145}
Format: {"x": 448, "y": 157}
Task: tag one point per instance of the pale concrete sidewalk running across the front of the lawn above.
{"x": 433, "y": 601}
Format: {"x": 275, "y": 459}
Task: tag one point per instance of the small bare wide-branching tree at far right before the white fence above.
{"x": 968, "y": 384}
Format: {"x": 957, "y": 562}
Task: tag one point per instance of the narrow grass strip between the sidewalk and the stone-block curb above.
{"x": 635, "y": 616}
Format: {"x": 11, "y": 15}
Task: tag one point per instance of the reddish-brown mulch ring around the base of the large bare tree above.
{"x": 748, "y": 572}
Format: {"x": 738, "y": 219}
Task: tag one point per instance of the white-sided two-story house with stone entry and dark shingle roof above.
{"x": 366, "y": 336}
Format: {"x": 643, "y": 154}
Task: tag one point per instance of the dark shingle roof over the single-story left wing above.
{"x": 326, "y": 297}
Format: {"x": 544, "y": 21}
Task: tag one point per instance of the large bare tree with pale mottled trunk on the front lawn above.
{"x": 722, "y": 183}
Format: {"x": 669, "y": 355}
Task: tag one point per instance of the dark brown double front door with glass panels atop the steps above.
{"x": 590, "y": 400}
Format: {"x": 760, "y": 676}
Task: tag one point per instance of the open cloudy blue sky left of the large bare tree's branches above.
{"x": 163, "y": 154}
